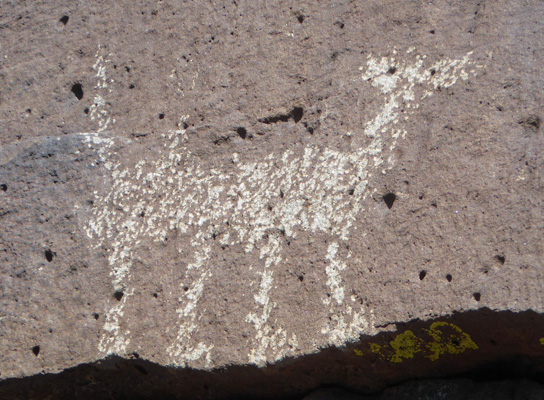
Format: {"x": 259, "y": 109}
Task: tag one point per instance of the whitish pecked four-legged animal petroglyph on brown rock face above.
{"x": 314, "y": 189}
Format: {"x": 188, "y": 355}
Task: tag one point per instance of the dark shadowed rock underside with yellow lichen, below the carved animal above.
{"x": 480, "y": 345}
